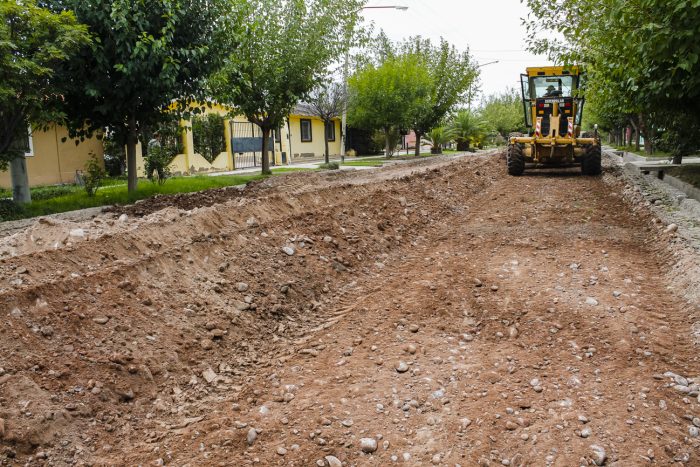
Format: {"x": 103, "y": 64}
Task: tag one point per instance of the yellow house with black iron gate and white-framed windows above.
{"x": 300, "y": 138}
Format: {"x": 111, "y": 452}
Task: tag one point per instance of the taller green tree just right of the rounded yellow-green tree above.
{"x": 453, "y": 74}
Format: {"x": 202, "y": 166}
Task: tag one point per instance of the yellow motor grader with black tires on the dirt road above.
{"x": 553, "y": 106}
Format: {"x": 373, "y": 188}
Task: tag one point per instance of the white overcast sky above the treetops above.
{"x": 490, "y": 28}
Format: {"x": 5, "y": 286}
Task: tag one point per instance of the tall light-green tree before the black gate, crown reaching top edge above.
{"x": 284, "y": 51}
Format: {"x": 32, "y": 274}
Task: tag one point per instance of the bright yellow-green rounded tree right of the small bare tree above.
{"x": 389, "y": 95}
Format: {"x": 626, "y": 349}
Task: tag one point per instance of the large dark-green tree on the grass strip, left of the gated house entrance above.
{"x": 147, "y": 56}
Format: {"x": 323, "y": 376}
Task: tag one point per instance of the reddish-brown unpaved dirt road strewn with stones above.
{"x": 438, "y": 313}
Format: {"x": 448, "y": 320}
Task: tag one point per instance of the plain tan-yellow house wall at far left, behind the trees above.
{"x": 51, "y": 161}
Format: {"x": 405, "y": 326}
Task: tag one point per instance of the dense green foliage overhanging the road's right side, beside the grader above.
{"x": 642, "y": 57}
